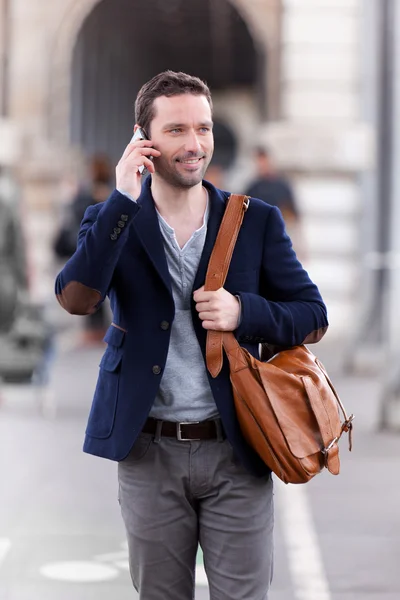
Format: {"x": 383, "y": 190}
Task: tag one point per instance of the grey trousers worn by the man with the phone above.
{"x": 174, "y": 495}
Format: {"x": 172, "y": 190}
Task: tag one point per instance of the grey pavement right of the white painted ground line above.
{"x": 357, "y": 514}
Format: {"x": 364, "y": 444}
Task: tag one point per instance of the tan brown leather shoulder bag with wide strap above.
{"x": 287, "y": 407}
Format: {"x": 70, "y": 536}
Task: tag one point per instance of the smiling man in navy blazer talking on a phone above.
{"x": 186, "y": 474}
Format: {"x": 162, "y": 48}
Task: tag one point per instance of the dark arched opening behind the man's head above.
{"x": 113, "y": 57}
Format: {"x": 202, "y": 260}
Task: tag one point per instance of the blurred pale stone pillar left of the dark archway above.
{"x": 41, "y": 162}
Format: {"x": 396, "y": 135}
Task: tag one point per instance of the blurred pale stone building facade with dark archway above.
{"x": 288, "y": 73}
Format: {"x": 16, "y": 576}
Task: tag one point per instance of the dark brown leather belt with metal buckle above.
{"x": 186, "y": 432}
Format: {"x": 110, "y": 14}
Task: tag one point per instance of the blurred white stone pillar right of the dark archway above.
{"x": 323, "y": 143}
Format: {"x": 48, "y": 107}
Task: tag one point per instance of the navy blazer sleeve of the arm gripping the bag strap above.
{"x": 289, "y": 310}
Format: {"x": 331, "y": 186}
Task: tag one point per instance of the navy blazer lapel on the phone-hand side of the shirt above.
{"x": 148, "y": 230}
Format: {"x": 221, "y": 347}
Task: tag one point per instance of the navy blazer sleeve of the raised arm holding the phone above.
{"x": 83, "y": 283}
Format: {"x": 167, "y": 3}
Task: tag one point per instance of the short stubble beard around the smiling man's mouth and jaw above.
{"x": 175, "y": 175}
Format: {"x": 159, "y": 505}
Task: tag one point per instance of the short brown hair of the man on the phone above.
{"x": 168, "y": 83}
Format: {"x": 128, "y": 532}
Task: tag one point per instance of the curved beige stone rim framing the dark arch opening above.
{"x": 263, "y": 22}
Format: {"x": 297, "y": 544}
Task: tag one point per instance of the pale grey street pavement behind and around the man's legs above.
{"x": 61, "y": 534}
